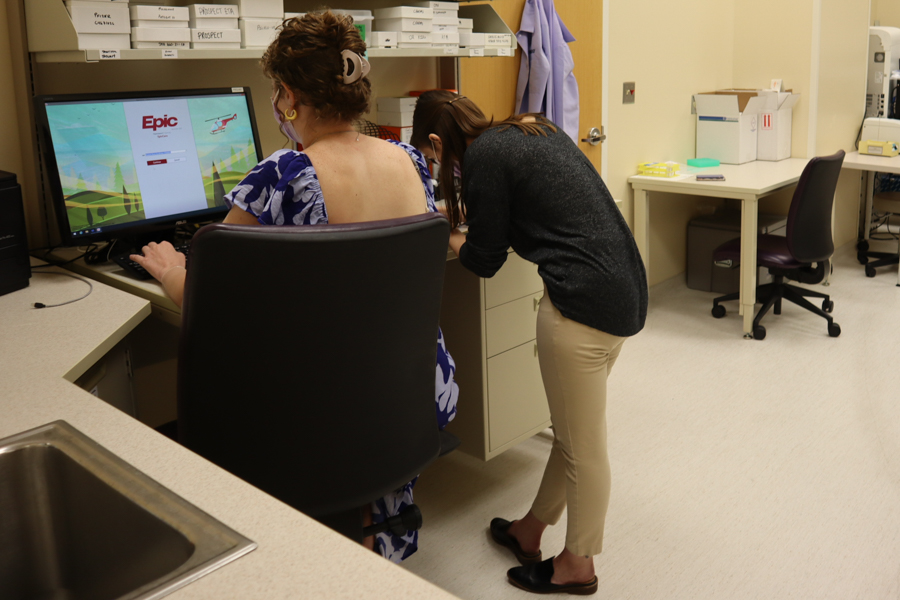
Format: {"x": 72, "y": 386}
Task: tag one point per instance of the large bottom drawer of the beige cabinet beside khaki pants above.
{"x": 516, "y": 400}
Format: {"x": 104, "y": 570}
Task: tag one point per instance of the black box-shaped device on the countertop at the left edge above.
{"x": 15, "y": 266}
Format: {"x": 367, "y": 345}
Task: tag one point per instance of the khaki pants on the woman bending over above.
{"x": 575, "y": 361}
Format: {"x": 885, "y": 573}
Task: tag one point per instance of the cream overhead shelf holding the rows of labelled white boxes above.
{"x": 52, "y": 39}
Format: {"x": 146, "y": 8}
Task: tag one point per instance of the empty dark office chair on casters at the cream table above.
{"x": 802, "y": 254}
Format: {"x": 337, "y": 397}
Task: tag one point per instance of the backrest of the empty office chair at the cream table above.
{"x": 808, "y": 231}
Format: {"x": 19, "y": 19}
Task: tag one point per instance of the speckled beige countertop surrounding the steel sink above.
{"x": 42, "y": 350}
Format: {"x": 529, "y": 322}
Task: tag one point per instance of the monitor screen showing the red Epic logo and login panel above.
{"x": 123, "y": 161}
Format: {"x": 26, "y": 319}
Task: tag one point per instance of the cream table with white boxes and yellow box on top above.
{"x": 748, "y": 183}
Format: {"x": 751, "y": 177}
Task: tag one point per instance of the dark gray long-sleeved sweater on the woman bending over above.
{"x": 542, "y": 196}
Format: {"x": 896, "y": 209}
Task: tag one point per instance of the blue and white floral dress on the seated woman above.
{"x": 283, "y": 189}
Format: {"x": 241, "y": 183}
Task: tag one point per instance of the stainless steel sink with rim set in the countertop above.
{"x": 77, "y": 522}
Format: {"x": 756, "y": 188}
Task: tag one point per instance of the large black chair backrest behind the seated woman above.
{"x": 307, "y": 357}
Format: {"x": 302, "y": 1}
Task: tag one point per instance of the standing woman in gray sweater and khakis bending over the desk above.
{"x": 525, "y": 184}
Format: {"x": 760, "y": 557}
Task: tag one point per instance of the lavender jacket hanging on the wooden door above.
{"x": 546, "y": 81}
